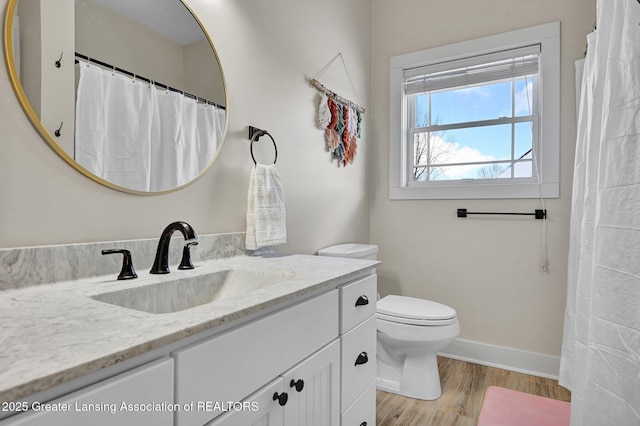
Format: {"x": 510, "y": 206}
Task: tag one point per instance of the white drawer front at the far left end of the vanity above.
{"x": 149, "y": 386}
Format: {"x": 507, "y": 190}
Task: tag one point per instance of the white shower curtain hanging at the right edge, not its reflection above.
{"x": 600, "y": 360}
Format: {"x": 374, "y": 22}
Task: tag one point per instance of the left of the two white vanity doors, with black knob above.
{"x": 260, "y": 409}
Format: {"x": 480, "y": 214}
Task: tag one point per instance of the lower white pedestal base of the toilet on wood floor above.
{"x": 413, "y": 377}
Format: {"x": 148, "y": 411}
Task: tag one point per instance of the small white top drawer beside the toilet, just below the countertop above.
{"x": 357, "y": 302}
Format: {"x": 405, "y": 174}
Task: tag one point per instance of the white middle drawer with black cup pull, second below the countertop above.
{"x": 358, "y": 358}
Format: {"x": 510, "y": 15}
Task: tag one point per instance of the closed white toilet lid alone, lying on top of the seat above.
{"x": 414, "y": 308}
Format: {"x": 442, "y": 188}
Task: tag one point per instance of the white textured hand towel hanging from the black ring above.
{"x": 266, "y": 218}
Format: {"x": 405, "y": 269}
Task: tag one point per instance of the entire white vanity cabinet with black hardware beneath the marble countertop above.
{"x": 310, "y": 362}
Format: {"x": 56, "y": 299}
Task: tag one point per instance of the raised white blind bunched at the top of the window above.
{"x": 469, "y": 71}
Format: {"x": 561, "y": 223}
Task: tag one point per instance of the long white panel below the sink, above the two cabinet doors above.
{"x": 234, "y": 364}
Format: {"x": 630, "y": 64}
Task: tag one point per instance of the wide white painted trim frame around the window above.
{"x": 546, "y": 152}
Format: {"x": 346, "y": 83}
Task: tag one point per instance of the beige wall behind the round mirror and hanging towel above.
{"x": 268, "y": 51}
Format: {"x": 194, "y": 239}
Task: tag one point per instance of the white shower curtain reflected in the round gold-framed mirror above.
{"x": 138, "y": 137}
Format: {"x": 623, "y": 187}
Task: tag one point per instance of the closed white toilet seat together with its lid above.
{"x": 414, "y": 311}
